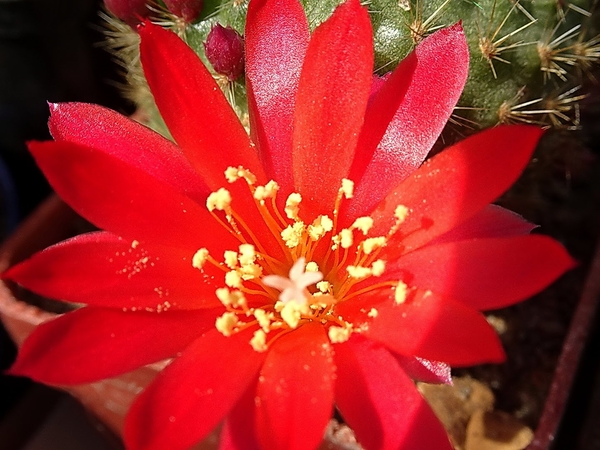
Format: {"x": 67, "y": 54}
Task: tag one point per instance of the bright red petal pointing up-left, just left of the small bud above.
{"x": 194, "y": 108}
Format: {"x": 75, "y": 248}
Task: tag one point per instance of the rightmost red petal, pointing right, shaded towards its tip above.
{"x": 485, "y": 273}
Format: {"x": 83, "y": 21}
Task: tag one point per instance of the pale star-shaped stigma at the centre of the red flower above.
{"x": 294, "y": 288}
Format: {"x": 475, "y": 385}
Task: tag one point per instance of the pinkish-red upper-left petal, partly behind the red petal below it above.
{"x": 110, "y": 132}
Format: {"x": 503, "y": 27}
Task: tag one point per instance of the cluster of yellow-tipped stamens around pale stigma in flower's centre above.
{"x": 321, "y": 265}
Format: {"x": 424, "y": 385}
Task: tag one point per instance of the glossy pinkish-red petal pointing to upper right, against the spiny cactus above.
{"x": 442, "y": 65}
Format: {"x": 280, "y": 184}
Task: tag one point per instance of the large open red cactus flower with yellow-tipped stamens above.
{"x": 337, "y": 285}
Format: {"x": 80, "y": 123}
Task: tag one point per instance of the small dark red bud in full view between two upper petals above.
{"x": 225, "y": 51}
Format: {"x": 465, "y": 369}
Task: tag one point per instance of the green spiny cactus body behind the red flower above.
{"x": 528, "y": 57}
